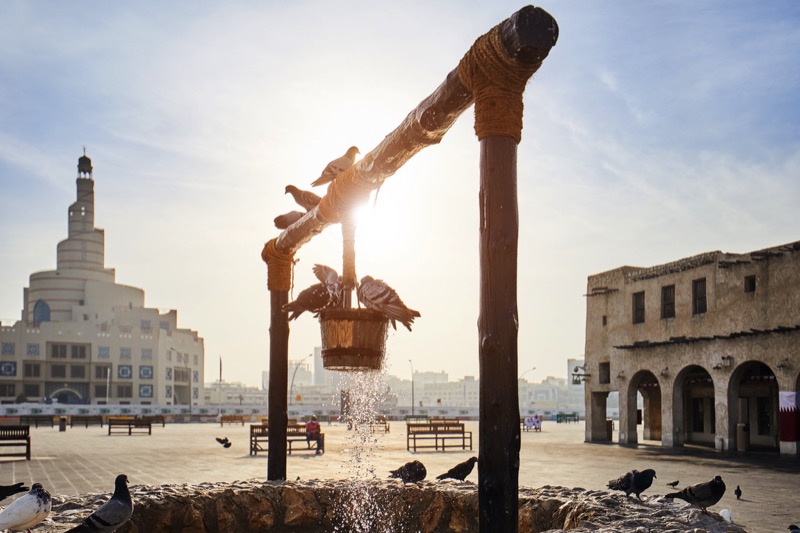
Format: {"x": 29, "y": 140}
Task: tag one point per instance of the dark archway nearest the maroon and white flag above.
{"x": 753, "y": 407}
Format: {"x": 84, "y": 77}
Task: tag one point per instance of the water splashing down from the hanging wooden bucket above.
{"x": 358, "y": 509}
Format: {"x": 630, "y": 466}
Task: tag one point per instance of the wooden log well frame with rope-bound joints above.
{"x": 492, "y": 75}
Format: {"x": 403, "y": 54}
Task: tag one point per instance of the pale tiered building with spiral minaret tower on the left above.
{"x": 83, "y": 338}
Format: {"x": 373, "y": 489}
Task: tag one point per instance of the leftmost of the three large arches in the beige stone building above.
{"x": 644, "y": 385}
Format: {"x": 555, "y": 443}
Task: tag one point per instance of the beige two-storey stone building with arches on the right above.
{"x": 710, "y": 342}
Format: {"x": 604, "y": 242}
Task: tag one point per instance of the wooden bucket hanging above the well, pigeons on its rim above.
{"x": 353, "y": 339}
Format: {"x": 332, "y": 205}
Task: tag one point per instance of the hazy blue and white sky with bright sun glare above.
{"x": 652, "y": 132}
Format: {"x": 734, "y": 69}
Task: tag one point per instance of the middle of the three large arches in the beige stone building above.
{"x": 694, "y": 407}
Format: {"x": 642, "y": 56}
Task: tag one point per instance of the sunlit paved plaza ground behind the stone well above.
{"x": 83, "y": 460}
